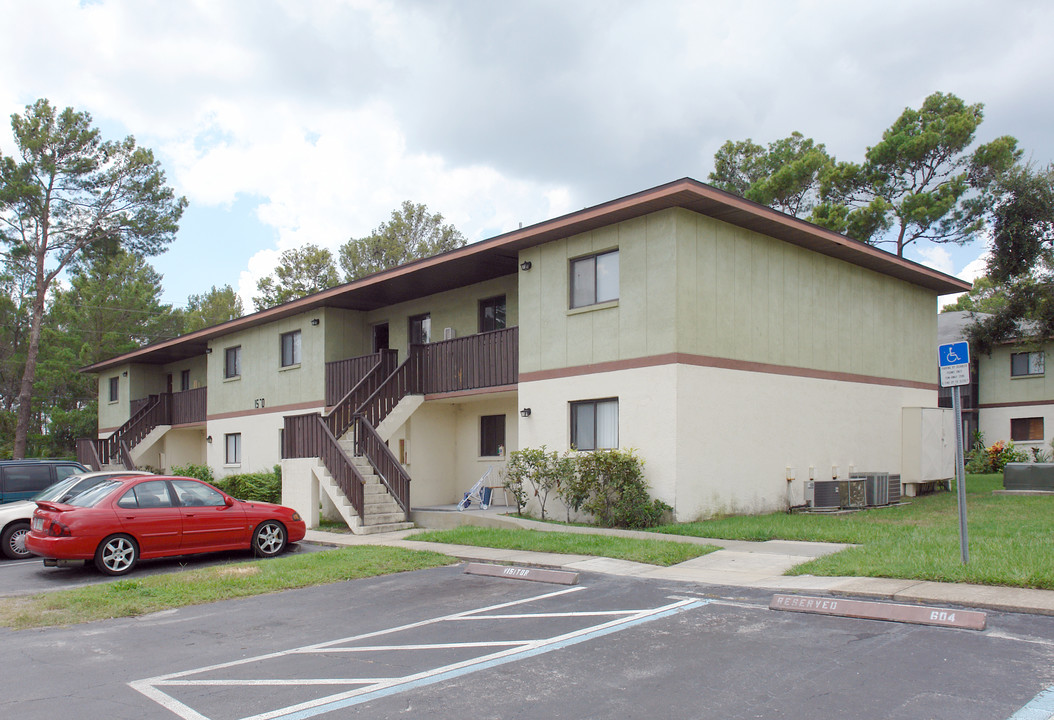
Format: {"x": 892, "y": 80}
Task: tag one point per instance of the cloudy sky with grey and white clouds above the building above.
{"x": 294, "y": 122}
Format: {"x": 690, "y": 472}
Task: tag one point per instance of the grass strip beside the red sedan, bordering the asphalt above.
{"x": 134, "y": 596}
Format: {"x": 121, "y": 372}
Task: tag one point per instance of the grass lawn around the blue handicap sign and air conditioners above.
{"x": 1011, "y": 538}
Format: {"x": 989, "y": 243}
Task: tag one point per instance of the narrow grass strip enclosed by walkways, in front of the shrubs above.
{"x": 652, "y": 552}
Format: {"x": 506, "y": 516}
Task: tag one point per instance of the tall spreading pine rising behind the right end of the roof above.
{"x": 920, "y": 183}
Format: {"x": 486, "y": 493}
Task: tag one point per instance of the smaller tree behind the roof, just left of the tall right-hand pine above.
{"x": 785, "y": 177}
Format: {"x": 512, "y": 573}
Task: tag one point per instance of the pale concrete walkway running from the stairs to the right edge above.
{"x": 739, "y": 563}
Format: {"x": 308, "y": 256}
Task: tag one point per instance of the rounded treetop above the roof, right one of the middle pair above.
{"x": 412, "y": 233}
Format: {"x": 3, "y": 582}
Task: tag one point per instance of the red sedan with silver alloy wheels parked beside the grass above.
{"x": 122, "y": 520}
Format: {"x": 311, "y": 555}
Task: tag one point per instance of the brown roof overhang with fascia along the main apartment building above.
{"x": 499, "y": 257}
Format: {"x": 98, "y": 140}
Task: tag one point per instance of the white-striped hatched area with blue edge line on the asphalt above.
{"x": 358, "y": 670}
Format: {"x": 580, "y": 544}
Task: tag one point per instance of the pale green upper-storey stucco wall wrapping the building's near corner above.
{"x": 692, "y": 284}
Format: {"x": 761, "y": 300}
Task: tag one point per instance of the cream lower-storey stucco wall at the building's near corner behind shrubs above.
{"x": 718, "y": 441}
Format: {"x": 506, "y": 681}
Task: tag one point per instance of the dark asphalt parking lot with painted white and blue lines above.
{"x": 440, "y": 644}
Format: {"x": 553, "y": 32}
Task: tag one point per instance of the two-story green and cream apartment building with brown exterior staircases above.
{"x": 739, "y": 351}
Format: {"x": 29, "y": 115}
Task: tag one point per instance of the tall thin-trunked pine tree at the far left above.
{"x": 70, "y": 194}
